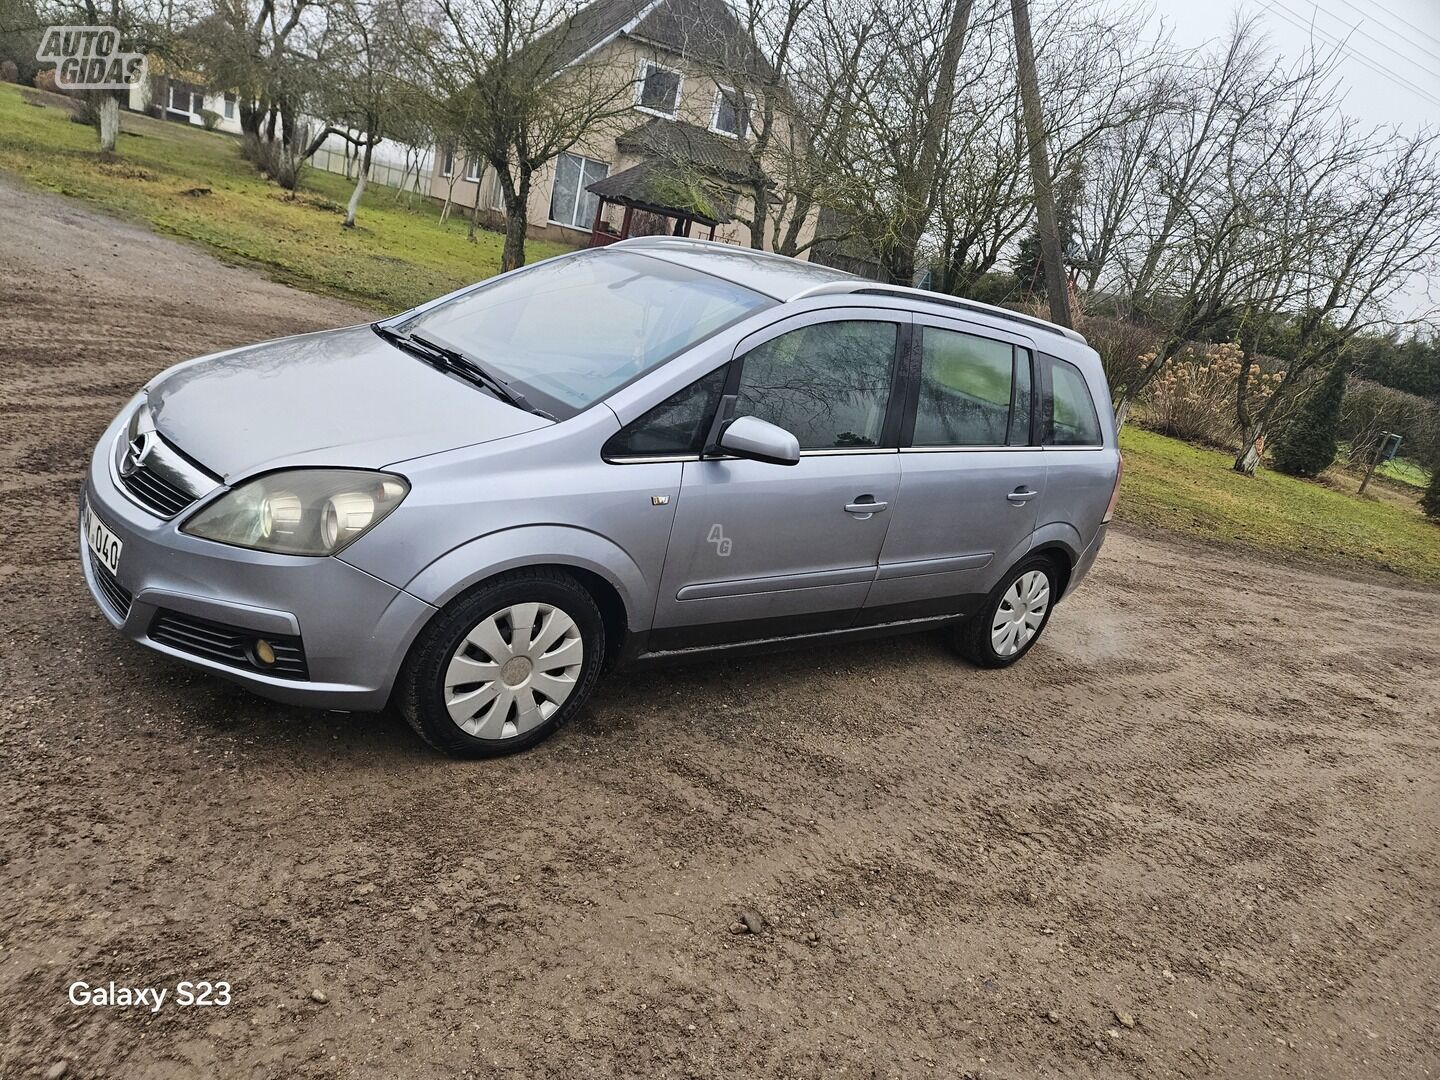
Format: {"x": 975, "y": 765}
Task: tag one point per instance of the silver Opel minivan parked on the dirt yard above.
{"x": 650, "y": 450}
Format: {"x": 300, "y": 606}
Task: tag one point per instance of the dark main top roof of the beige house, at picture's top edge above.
{"x": 705, "y": 31}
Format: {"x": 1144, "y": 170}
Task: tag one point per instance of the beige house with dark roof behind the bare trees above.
{"x": 675, "y": 163}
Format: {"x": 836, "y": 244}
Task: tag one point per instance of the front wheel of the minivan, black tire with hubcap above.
{"x": 466, "y": 666}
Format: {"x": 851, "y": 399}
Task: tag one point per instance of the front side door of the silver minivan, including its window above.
{"x": 762, "y": 551}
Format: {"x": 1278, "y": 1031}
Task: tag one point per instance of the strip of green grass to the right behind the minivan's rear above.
{"x": 1189, "y": 490}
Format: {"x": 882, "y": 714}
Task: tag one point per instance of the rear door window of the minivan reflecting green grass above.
{"x": 967, "y": 384}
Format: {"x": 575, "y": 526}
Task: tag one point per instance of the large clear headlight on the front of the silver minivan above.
{"x": 302, "y": 512}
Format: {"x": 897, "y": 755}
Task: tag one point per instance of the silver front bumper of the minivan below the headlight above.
{"x": 356, "y": 629}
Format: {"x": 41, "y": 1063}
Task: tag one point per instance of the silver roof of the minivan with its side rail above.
{"x": 788, "y": 280}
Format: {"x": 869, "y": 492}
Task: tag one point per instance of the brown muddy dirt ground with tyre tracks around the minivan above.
{"x": 1193, "y": 834}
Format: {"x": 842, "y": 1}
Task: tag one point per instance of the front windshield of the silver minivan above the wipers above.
{"x": 572, "y": 330}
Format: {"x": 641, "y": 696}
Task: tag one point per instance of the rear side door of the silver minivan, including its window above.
{"x": 973, "y": 474}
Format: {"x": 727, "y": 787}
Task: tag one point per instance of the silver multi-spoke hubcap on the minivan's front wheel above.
{"x": 513, "y": 672}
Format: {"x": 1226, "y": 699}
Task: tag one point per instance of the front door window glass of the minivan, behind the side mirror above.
{"x": 826, "y": 384}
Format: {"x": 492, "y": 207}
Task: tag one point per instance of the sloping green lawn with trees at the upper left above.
{"x": 400, "y": 256}
